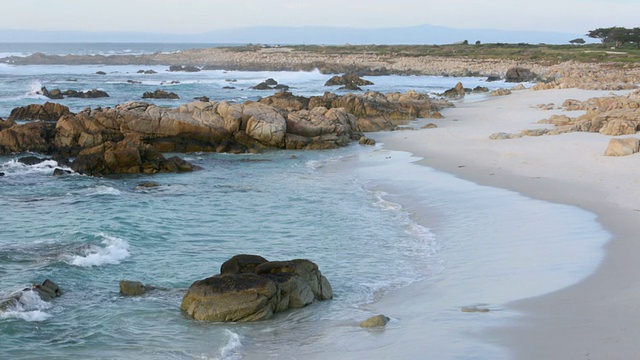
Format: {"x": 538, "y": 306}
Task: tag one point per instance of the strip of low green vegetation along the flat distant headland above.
{"x": 541, "y": 53}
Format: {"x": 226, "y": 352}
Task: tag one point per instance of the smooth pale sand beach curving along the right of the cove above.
{"x": 597, "y": 318}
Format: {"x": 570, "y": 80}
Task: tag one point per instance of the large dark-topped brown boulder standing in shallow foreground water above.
{"x": 250, "y": 288}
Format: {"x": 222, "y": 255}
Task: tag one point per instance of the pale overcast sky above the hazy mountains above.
{"x": 198, "y": 16}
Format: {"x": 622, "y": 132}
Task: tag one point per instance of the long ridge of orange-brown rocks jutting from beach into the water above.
{"x": 131, "y": 137}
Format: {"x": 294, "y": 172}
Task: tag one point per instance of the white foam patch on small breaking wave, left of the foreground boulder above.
{"x": 114, "y": 251}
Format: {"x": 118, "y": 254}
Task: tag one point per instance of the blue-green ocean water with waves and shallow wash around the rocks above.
{"x": 374, "y": 221}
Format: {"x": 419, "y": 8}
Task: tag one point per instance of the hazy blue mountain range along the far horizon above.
{"x": 423, "y": 34}
